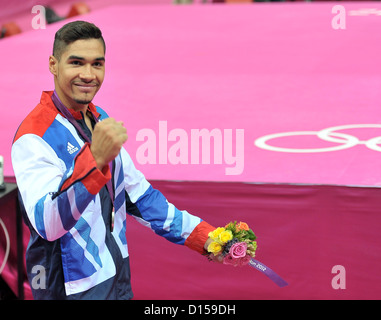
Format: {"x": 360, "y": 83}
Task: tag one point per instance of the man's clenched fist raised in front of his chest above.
{"x": 108, "y": 138}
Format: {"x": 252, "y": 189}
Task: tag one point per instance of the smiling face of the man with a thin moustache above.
{"x": 79, "y": 73}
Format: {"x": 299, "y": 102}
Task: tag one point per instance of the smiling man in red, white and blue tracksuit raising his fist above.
{"x": 77, "y": 182}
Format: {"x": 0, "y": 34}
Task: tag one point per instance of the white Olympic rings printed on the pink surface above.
{"x": 344, "y": 140}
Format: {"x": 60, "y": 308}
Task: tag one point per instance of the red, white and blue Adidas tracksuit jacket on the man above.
{"x": 68, "y": 209}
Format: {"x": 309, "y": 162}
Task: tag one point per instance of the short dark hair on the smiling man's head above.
{"x": 73, "y": 31}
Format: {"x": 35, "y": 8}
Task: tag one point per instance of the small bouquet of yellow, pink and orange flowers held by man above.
{"x": 235, "y": 244}
